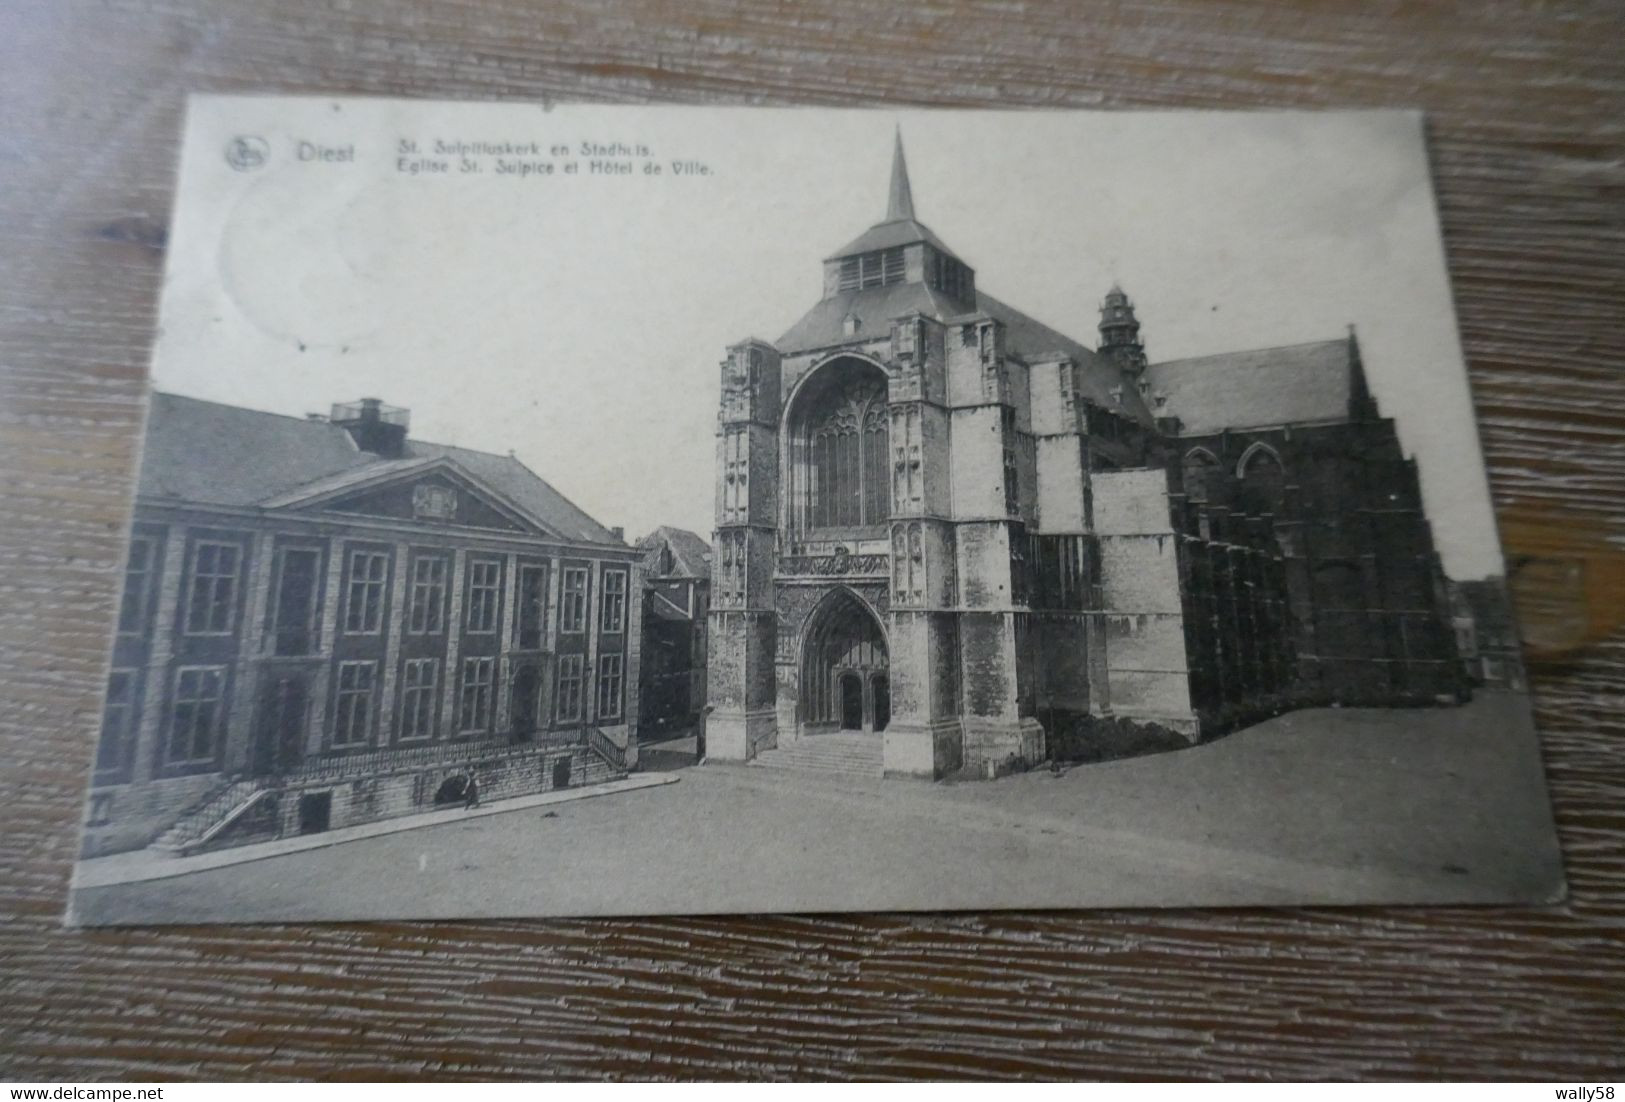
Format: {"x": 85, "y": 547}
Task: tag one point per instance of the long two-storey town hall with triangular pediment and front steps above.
{"x": 326, "y": 622}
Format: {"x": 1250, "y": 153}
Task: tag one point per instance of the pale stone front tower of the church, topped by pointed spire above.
{"x": 875, "y": 495}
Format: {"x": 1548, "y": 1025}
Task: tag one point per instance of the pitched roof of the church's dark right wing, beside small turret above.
{"x": 1259, "y": 388}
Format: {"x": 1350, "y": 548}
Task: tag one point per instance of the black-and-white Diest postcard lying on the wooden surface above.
{"x": 604, "y": 511}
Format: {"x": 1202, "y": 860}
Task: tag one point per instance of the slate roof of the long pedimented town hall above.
{"x": 214, "y": 454}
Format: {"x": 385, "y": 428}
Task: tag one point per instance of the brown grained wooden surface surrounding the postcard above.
{"x": 1530, "y": 154}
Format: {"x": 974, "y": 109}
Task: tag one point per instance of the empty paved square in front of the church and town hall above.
{"x": 1332, "y": 805}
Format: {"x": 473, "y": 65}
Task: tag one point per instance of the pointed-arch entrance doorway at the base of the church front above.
{"x": 844, "y": 669}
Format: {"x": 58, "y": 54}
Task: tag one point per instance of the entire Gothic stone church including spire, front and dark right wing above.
{"x": 963, "y": 540}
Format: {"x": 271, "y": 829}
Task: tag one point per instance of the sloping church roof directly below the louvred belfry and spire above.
{"x": 1025, "y": 337}
